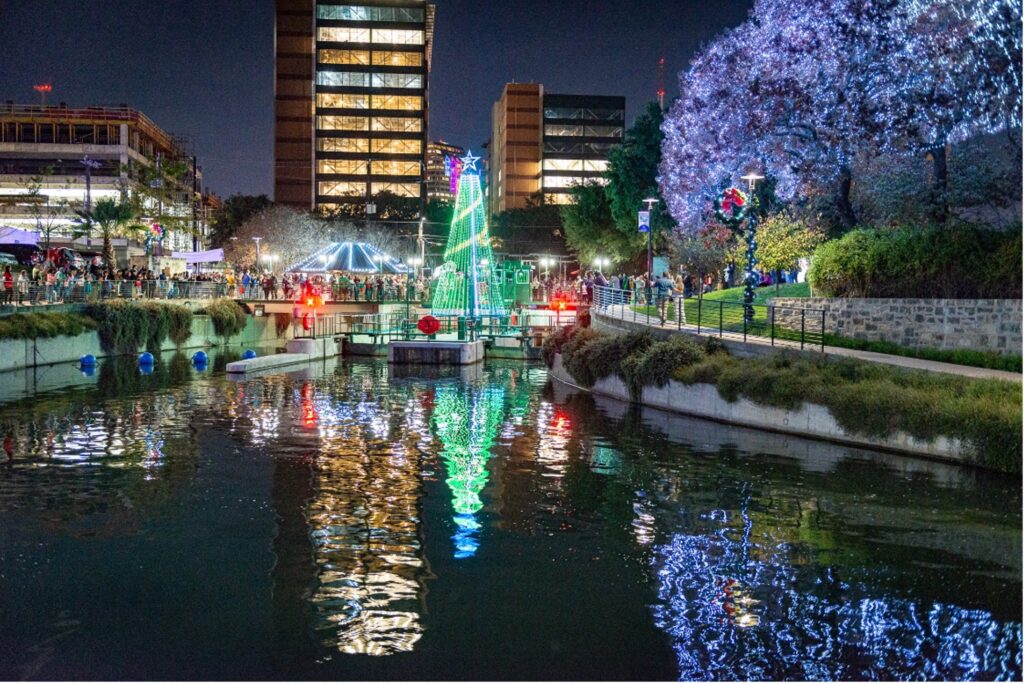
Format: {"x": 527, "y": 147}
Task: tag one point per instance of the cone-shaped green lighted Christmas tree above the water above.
{"x": 467, "y": 284}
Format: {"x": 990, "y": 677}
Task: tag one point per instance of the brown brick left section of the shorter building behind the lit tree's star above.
{"x": 515, "y": 164}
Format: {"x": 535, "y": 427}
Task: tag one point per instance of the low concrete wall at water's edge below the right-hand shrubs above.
{"x": 809, "y": 421}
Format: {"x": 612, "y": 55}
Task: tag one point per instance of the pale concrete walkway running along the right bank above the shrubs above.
{"x": 625, "y": 314}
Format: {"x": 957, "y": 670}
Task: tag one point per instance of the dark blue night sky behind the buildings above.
{"x": 204, "y": 69}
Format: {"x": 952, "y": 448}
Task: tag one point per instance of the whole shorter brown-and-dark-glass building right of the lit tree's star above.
{"x": 543, "y": 144}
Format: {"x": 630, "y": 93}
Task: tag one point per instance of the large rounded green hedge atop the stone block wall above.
{"x": 960, "y": 263}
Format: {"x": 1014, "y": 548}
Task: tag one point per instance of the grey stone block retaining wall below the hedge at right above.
{"x": 985, "y": 325}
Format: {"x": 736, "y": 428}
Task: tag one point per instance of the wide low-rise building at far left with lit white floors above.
{"x": 57, "y": 160}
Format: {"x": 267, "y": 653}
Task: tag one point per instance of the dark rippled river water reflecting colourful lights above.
{"x": 359, "y": 522}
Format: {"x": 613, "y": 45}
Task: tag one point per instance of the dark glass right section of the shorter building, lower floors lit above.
{"x": 580, "y": 132}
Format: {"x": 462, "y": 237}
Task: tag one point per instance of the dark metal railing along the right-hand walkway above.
{"x": 789, "y": 326}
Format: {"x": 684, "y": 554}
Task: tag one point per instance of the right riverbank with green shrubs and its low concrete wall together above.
{"x": 972, "y": 422}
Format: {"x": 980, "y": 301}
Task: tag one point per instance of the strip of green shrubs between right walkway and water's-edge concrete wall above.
{"x": 872, "y": 400}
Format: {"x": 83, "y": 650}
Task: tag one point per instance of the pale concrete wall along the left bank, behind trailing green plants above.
{"x": 16, "y": 355}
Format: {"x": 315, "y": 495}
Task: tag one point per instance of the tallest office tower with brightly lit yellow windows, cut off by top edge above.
{"x": 352, "y": 102}
